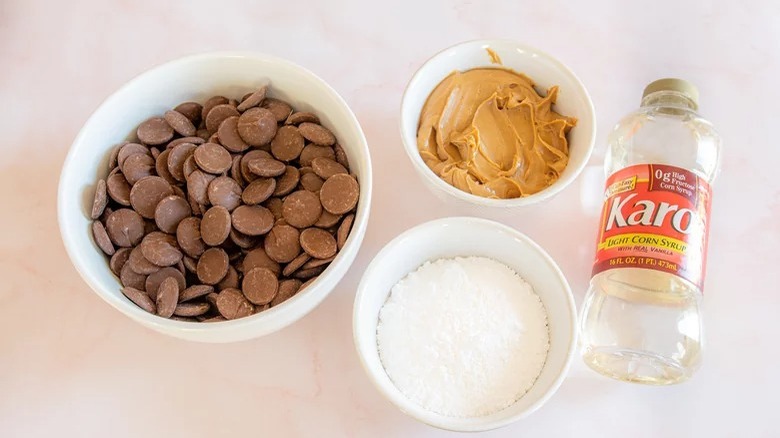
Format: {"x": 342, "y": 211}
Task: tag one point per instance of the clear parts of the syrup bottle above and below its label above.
{"x": 641, "y": 325}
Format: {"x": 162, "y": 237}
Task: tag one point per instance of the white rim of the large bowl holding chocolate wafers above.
{"x": 195, "y": 329}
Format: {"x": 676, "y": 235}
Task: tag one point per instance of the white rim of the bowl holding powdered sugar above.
{"x": 393, "y": 394}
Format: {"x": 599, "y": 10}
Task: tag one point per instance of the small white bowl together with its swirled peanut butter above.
{"x": 497, "y": 123}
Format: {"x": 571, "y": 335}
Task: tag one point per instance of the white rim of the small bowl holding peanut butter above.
{"x": 548, "y": 192}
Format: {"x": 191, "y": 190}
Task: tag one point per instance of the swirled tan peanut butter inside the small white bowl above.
{"x": 487, "y": 131}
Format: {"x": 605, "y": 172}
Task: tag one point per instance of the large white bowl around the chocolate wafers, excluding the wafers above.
{"x": 197, "y": 78}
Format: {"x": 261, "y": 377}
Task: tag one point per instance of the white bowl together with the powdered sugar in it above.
{"x": 465, "y": 324}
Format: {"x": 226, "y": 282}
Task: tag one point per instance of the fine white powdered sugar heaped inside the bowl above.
{"x": 463, "y": 337}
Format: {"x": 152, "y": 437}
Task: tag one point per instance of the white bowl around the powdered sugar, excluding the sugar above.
{"x": 466, "y": 236}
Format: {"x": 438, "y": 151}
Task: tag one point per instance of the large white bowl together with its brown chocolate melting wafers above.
{"x": 217, "y": 197}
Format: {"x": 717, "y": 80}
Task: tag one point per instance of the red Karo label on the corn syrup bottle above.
{"x": 655, "y": 217}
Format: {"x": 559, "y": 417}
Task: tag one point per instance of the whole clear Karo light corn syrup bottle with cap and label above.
{"x": 641, "y": 319}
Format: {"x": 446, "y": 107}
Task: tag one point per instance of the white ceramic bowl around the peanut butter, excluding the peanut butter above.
{"x": 543, "y": 69}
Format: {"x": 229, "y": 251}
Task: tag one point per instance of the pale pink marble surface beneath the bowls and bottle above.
{"x": 72, "y": 366}
